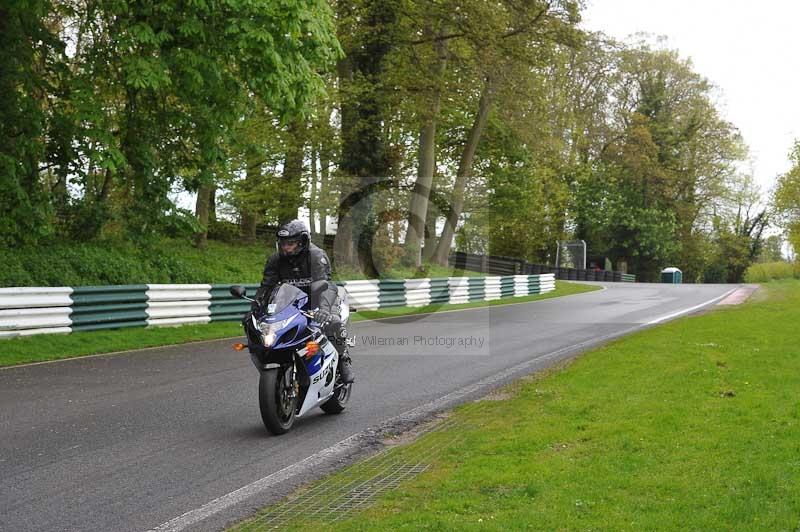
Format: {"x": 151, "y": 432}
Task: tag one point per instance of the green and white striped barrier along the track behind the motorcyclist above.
{"x": 26, "y": 311}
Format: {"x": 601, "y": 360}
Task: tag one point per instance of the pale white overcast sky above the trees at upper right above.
{"x": 748, "y": 50}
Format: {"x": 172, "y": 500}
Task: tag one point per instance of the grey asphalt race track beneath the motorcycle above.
{"x": 133, "y": 441}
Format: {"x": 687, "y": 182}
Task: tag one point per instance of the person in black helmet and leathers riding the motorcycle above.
{"x": 299, "y": 262}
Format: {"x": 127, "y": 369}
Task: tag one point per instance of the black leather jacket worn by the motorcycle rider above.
{"x": 301, "y": 270}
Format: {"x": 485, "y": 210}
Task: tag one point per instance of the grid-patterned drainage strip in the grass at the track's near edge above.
{"x": 356, "y": 487}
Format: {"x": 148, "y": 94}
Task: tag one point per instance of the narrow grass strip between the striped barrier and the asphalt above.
{"x": 53, "y": 347}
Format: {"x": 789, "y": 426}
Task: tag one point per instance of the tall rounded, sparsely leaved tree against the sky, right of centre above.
{"x": 665, "y": 164}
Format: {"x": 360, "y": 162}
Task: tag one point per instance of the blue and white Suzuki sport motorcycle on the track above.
{"x": 299, "y": 365}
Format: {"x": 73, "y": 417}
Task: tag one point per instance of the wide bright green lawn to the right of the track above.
{"x": 693, "y": 425}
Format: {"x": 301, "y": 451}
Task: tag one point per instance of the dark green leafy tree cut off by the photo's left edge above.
{"x": 32, "y": 68}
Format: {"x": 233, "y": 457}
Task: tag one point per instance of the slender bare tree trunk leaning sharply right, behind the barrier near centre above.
{"x": 464, "y": 173}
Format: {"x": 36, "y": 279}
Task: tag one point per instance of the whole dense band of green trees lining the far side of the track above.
{"x": 409, "y": 127}
